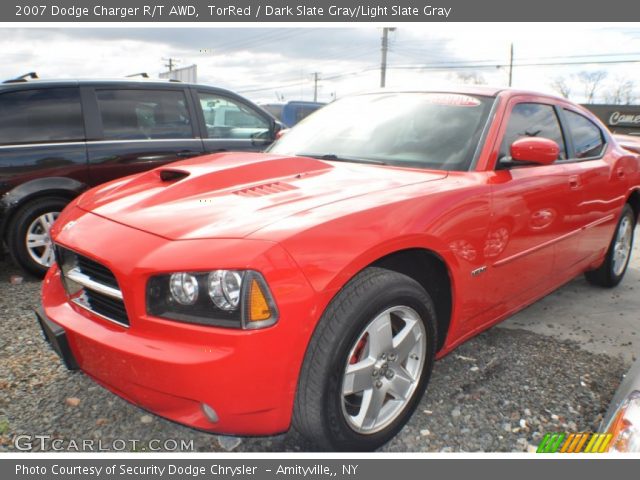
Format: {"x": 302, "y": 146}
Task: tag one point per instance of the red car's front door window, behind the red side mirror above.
{"x": 532, "y": 120}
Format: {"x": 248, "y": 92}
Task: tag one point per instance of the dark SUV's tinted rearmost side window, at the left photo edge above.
{"x": 41, "y": 116}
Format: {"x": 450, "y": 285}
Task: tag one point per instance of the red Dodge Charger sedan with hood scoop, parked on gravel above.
{"x": 314, "y": 285}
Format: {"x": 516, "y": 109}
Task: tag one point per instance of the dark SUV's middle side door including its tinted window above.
{"x": 136, "y": 128}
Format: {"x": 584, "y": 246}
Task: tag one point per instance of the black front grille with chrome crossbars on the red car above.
{"x": 92, "y": 286}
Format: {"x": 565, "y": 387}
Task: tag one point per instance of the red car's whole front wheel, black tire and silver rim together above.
{"x": 329, "y": 406}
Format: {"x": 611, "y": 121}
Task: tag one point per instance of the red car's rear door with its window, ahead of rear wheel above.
{"x": 602, "y": 186}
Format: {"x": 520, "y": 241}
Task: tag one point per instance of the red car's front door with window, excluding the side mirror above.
{"x": 531, "y": 208}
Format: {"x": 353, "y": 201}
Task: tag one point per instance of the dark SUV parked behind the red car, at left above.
{"x": 57, "y": 138}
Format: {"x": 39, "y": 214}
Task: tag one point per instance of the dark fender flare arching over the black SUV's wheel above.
{"x": 14, "y": 199}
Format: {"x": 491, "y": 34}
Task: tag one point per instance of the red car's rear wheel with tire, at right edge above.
{"x": 612, "y": 271}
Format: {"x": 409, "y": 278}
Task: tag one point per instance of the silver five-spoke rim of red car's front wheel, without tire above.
{"x": 383, "y": 369}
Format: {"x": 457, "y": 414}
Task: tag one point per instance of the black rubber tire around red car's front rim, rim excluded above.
{"x": 318, "y": 411}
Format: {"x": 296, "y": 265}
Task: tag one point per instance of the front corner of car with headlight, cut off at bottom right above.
{"x": 622, "y": 420}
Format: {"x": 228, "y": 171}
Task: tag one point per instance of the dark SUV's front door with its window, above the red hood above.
{"x": 230, "y": 123}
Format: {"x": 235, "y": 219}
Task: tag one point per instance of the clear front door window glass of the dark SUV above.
{"x": 226, "y": 118}
